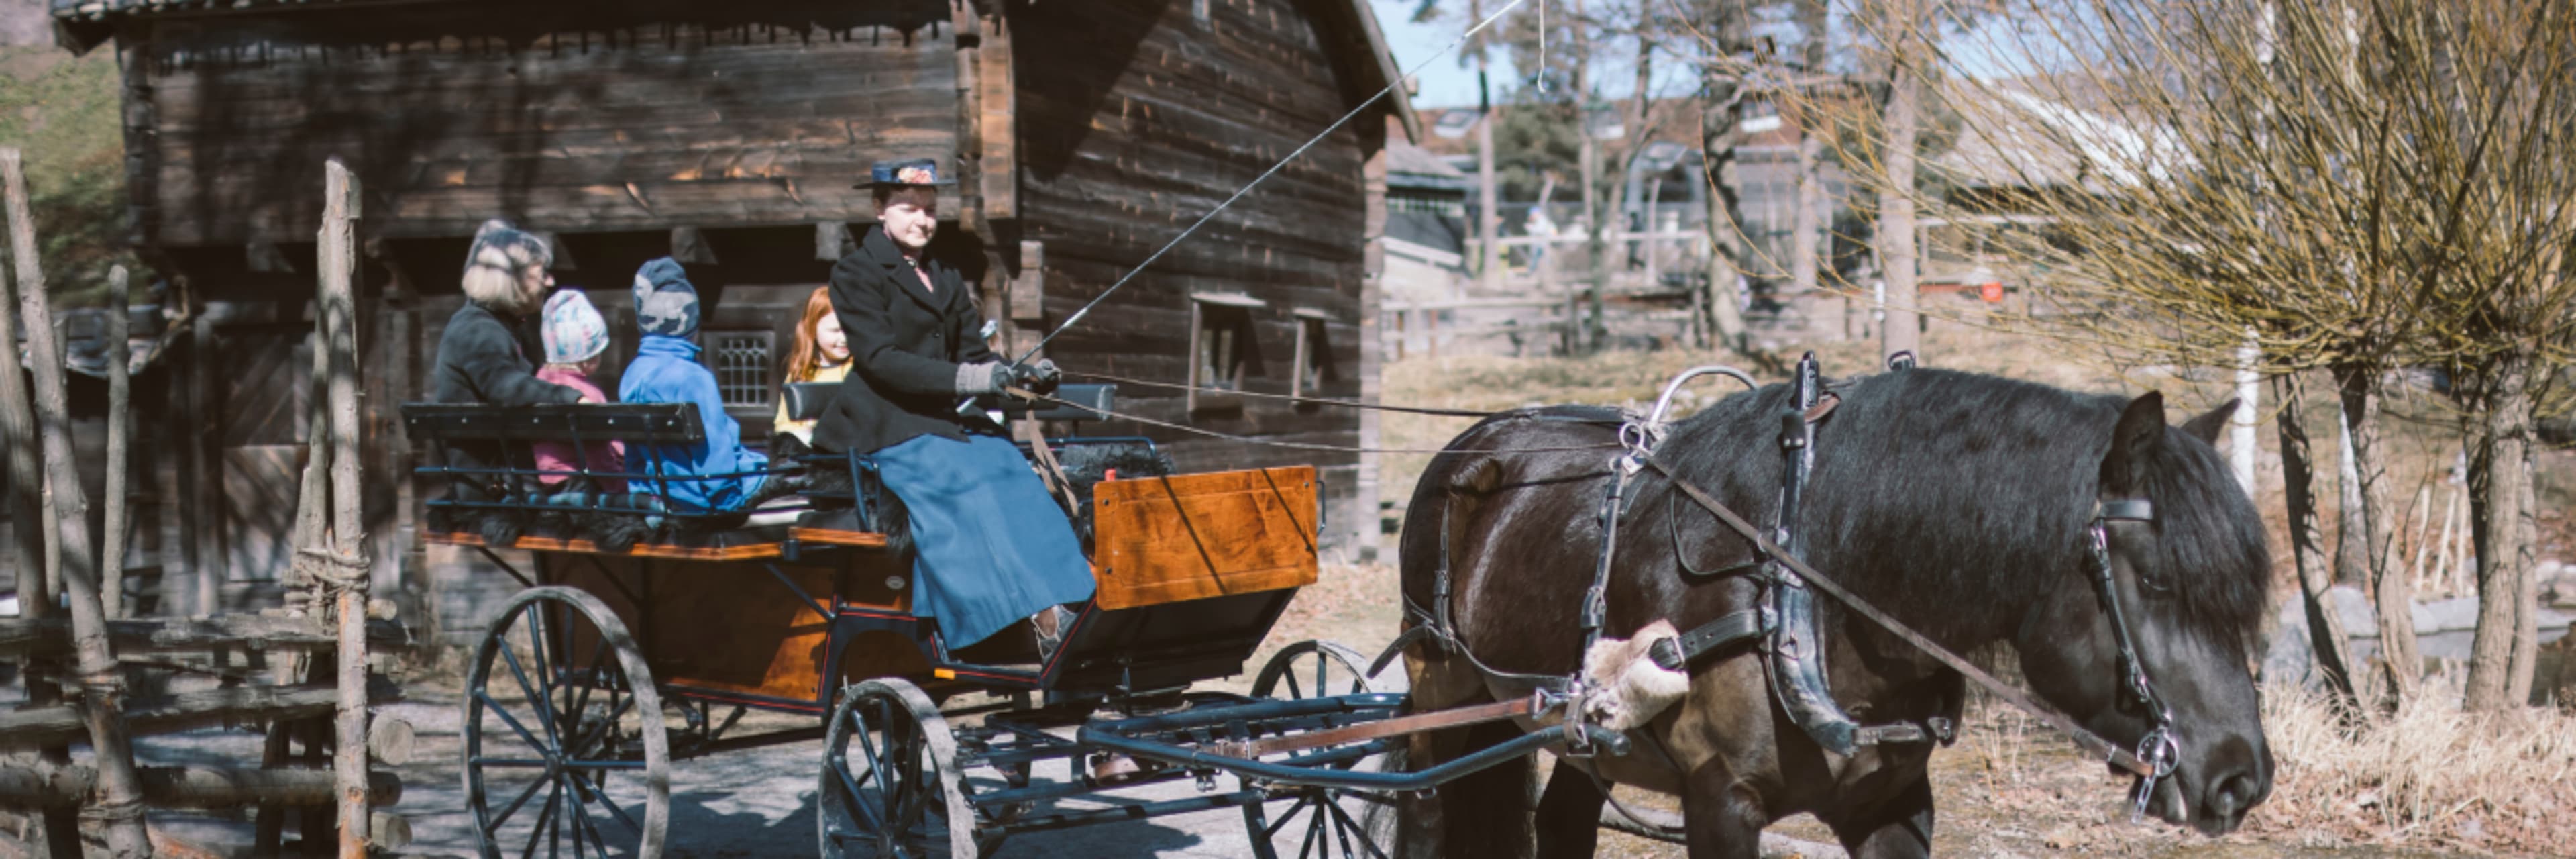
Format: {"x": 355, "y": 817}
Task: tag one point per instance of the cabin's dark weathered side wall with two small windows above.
{"x": 1137, "y": 120}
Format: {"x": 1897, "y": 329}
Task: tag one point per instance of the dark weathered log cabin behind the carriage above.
{"x": 730, "y": 135}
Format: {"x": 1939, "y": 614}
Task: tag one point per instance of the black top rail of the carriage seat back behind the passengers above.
{"x": 620, "y": 422}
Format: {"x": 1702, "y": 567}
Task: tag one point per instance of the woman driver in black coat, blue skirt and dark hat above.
{"x": 990, "y": 546}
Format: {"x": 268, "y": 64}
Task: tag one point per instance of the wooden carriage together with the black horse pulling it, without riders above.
{"x": 614, "y": 664}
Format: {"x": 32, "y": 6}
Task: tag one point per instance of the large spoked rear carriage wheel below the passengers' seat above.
{"x": 563, "y": 734}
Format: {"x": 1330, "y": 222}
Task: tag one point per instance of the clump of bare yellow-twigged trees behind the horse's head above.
{"x": 2361, "y": 187}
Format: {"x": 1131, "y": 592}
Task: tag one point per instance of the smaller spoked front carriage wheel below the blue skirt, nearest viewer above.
{"x": 890, "y": 780}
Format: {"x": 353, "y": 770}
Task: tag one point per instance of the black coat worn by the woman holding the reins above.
{"x": 905, "y": 350}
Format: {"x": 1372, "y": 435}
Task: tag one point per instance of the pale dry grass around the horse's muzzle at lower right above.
{"x": 2430, "y": 778}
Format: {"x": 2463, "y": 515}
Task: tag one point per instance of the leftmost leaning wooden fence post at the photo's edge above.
{"x": 102, "y": 682}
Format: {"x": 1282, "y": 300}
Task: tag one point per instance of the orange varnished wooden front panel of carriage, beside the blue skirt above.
{"x": 1163, "y": 540}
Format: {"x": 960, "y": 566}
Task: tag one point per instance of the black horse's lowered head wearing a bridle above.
{"x": 2188, "y": 579}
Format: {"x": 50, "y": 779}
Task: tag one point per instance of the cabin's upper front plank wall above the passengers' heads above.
{"x": 571, "y": 117}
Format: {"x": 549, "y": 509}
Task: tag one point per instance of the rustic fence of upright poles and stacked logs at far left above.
{"x": 76, "y": 667}
